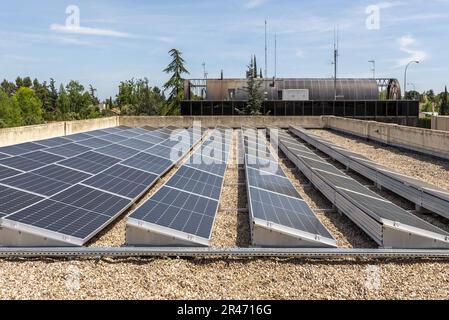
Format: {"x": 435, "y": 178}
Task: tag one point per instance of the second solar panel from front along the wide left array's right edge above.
{"x": 123, "y": 181}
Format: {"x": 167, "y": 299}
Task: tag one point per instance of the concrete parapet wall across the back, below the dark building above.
{"x": 228, "y": 121}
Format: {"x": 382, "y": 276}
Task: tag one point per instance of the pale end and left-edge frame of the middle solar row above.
{"x": 269, "y": 234}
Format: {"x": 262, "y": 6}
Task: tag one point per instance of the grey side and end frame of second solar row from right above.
{"x": 384, "y": 232}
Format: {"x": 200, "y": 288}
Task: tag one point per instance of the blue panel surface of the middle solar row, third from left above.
{"x": 273, "y": 200}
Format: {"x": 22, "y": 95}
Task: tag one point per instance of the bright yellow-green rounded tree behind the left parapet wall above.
{"x": 26, "y": 100}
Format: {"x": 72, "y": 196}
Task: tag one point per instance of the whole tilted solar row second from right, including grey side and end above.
{"x": 386, "y": 223}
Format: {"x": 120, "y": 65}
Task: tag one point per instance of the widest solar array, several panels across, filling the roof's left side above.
{"x": 66, "y": 190}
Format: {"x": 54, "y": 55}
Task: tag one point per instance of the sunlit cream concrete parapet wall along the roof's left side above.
{"x": 11, "y": 136}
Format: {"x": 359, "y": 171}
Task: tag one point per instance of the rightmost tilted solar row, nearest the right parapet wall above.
{"x": 419, "y": 192}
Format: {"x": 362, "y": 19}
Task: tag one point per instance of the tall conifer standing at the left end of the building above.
{"x": 175, "y": 85}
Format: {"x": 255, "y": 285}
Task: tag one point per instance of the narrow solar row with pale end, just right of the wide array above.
{"x": 183, "y": 211}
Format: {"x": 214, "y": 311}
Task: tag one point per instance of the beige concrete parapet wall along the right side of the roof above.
{"x": 431, "y": 142}
